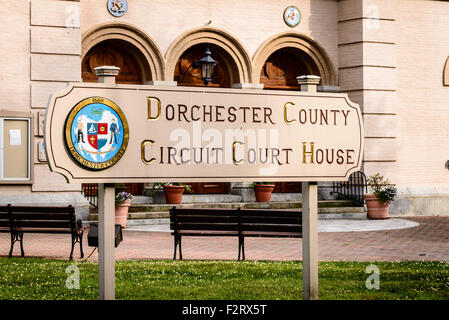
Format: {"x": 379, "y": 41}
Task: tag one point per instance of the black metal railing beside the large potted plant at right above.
{"x": 353, "y": 189}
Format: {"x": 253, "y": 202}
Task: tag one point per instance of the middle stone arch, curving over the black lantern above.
{"x": 238, "y": 60}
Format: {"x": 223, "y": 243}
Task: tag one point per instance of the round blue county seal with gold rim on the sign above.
{"x": 96, "y": 133}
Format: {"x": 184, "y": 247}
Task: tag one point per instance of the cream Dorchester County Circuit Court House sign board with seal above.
{"x": 124, "y": 133}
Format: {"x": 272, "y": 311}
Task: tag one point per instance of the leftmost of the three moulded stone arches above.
{"x": 151, "y": 59}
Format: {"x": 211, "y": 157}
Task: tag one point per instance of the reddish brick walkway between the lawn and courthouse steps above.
{"x": 428, "y": 241}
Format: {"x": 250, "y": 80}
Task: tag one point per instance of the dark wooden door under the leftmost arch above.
{"x": 111, "y": 54}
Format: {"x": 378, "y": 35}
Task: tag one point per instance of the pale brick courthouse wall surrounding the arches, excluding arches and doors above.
{"x": 389, "y": 57}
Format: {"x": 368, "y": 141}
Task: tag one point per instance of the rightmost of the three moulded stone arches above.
{"x": 301, "y": 43}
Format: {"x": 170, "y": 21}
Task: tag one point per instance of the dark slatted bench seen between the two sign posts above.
{"x": 238, "y": 222}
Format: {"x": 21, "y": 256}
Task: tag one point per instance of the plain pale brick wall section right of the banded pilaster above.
{"x": 423, "y": 105}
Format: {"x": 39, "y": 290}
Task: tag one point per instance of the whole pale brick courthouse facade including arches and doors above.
{"x": 391, "y": 57}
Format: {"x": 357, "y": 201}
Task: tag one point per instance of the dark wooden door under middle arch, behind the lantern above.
{"x": 187, "y": 76}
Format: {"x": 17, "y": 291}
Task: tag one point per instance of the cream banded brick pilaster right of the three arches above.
{"x": 367, "y": 71}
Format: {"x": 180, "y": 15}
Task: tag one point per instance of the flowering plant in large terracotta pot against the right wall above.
{"x": 383, "y": 193}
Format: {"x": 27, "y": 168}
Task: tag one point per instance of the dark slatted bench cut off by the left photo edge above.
{"x": 18, "y": 220}
